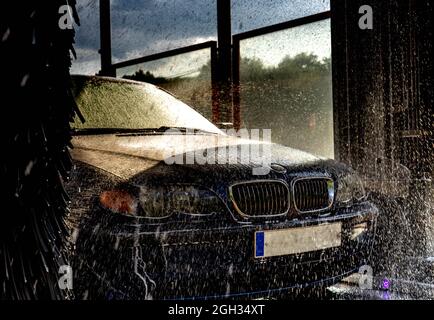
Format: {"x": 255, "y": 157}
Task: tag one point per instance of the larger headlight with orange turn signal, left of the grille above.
{"x": 162, "y": 201}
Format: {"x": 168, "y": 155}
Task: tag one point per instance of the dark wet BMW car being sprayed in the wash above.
{"x": 155, "y": 215}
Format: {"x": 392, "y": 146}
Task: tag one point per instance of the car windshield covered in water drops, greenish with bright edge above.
{"x": 111, "y": 104}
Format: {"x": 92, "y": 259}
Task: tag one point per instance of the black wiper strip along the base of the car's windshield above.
{"x": 143, "y": 131}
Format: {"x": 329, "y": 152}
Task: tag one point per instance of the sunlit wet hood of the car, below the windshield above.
{"x": 129, "y": 155}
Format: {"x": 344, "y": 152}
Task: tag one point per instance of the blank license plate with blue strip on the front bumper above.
{"x": 272, "y": 243}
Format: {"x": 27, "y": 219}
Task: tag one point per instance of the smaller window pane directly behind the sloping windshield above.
{"x": 187, "y": 76}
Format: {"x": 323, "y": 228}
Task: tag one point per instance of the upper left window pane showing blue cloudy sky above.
{"x": 144, "y": 27}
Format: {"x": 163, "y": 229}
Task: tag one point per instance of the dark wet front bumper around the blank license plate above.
{"x": 215, "y": 262}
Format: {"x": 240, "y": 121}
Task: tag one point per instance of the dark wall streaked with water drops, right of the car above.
{"x": 383, "y": 97}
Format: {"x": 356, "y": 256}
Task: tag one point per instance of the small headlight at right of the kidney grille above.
{"x": 350, "y": 189}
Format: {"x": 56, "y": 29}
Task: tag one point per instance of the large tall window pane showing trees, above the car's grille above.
{"x": 286, "y": 86}
